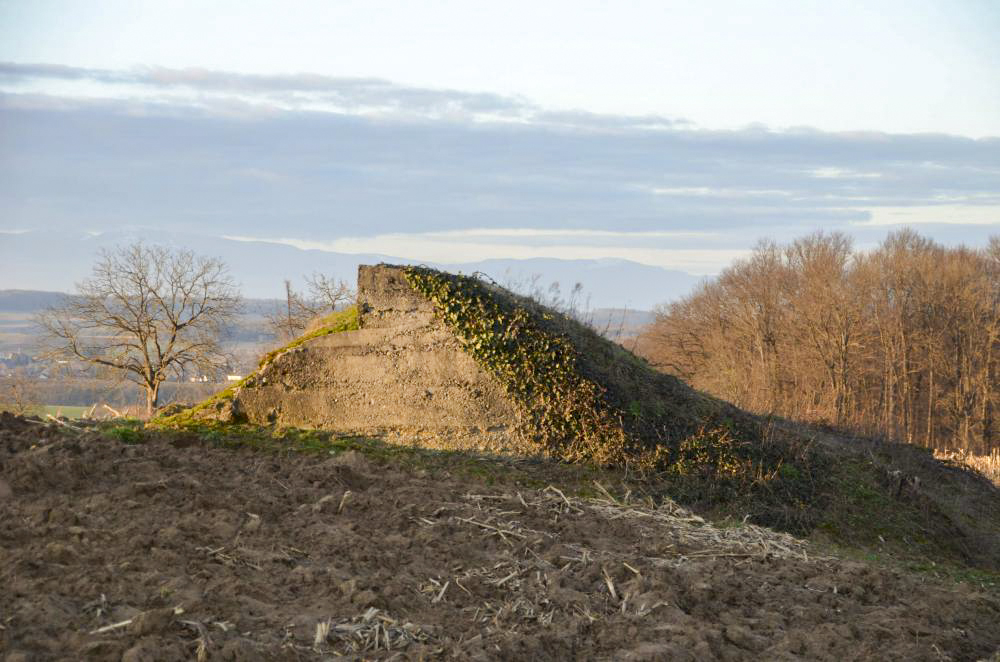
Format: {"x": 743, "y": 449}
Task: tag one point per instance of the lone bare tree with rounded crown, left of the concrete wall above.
{"x": 147, "y": 313}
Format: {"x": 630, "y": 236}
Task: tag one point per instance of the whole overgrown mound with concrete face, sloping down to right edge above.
{"x": 457, "y": 362}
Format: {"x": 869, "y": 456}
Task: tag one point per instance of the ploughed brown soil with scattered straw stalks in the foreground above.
{"x": 175, "y": 549}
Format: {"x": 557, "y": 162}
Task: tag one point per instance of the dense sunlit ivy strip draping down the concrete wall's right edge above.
{"x": 561, "y": 410}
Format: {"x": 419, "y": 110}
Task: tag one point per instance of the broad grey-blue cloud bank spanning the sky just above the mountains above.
{"x": 438, "y": 174}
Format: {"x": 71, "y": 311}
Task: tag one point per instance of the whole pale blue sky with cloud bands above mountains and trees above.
{"x": 673, "y": 134}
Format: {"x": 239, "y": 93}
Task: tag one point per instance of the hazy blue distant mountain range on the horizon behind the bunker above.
{"x": 42, "y": 260}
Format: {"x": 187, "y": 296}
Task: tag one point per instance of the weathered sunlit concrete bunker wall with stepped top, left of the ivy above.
{"x": 403, "y": 373}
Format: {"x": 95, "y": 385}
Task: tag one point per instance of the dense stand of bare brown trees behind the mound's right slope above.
{"x": 900, "y": 342}
